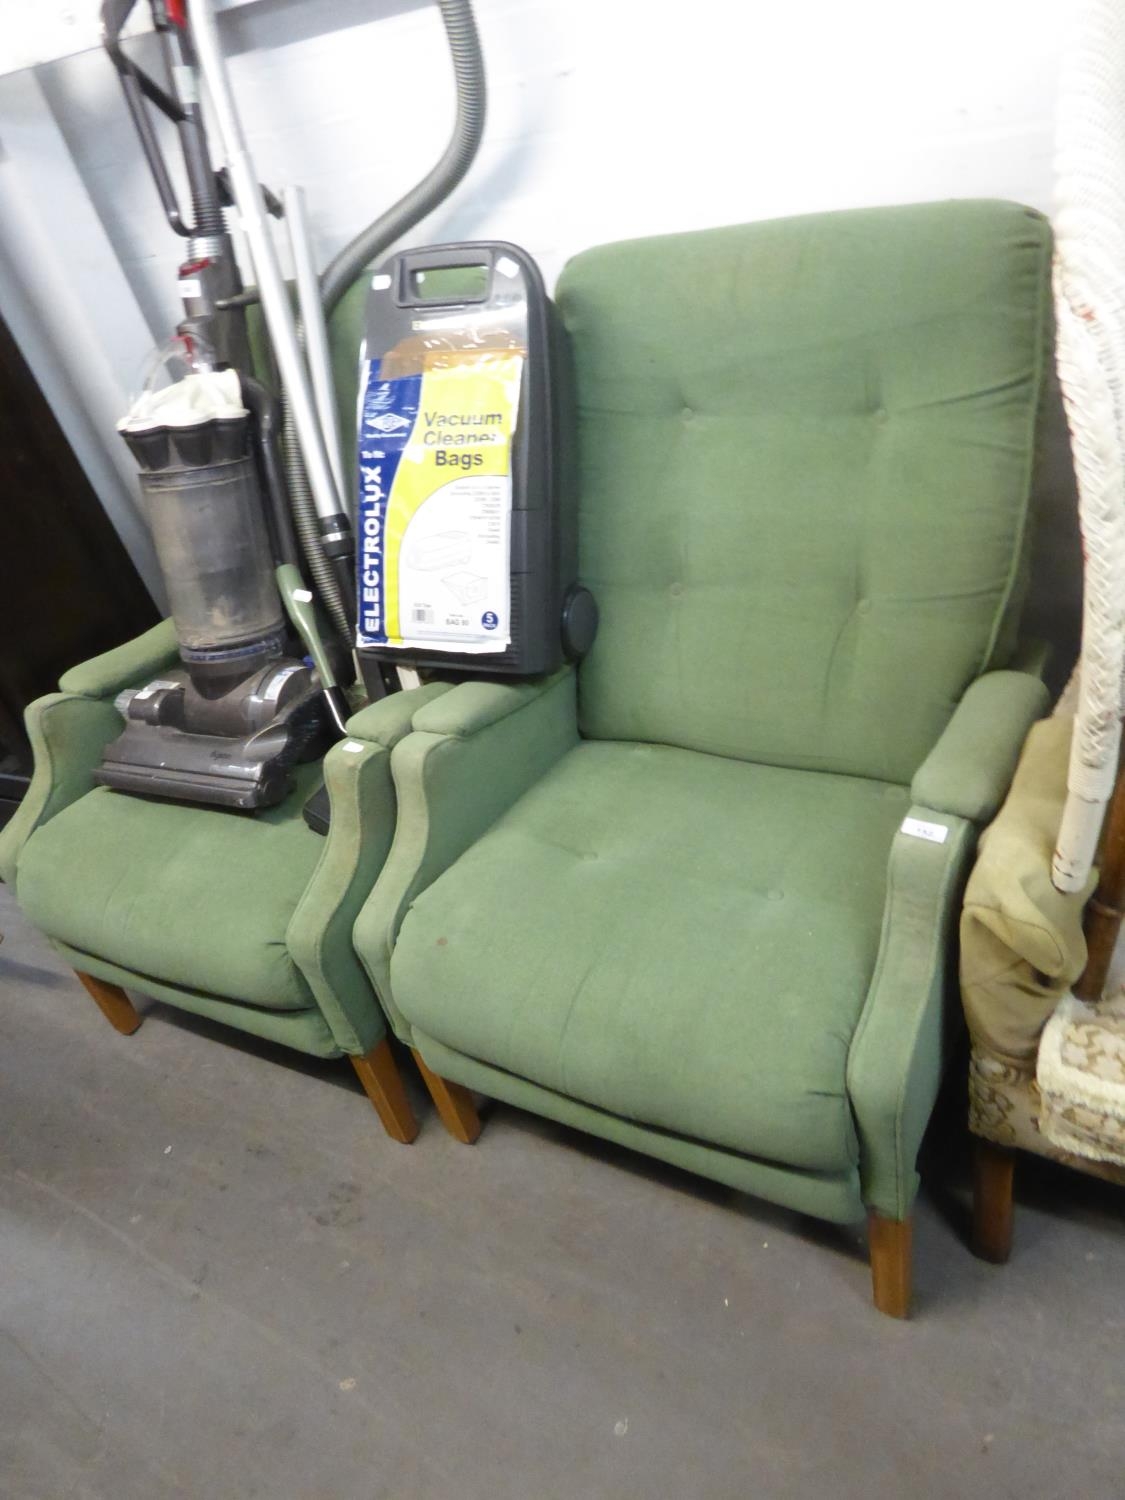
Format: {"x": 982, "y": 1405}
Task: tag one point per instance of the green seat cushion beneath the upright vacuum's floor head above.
{"x": 190, "y": 896}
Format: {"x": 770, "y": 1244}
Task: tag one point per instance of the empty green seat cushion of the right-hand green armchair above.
{"x": 682, "y": 940}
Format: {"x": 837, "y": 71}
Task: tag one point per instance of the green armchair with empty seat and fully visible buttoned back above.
{"x": 700, "y": 895}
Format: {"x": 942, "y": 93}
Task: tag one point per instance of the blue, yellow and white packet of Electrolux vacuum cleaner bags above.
{"x": 436, "y": 502}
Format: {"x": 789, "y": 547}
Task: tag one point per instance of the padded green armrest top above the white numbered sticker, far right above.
{"x": 971, "y": 767}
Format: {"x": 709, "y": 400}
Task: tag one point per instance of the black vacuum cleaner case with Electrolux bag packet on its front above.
{"x": 467, "y": 550}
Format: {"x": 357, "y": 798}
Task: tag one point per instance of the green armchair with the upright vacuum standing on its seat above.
{"x": 244, "y": 920}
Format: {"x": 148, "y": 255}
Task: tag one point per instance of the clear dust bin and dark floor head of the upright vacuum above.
{"x": 227, "y": 727}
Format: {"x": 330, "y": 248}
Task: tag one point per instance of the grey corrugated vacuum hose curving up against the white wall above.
{"x": 469, "y": 70}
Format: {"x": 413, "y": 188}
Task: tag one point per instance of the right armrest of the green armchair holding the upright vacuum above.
{"x": 361, "y": 832}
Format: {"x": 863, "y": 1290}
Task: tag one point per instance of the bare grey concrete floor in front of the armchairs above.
{"x": 218, "y": 1279}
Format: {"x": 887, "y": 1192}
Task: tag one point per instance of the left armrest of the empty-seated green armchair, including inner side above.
{"x": 472, "y": 755}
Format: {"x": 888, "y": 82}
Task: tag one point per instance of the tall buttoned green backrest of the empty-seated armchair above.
{"x": 806, "y": 454}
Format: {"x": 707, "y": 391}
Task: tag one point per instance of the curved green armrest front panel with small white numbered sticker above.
{"x": 910, "y": 1019}
